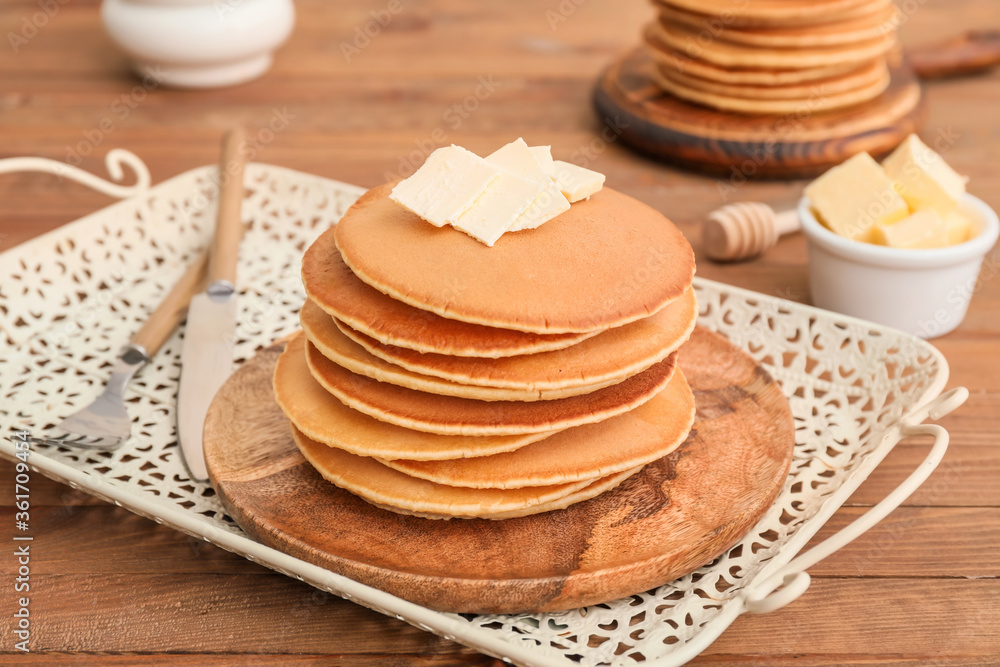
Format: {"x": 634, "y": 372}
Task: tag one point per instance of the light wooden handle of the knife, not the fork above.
{"x": 225, "y": 248}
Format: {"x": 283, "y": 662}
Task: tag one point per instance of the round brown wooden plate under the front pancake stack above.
{"x": 675, "y": 515}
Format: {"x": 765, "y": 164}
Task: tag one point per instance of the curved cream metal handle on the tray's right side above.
{"x": 792, "y": 580}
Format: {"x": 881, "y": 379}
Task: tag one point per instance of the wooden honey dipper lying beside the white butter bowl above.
{"x": 744, "y": 230}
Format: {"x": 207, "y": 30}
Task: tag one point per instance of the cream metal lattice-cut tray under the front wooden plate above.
{"x": 71, "y": 298}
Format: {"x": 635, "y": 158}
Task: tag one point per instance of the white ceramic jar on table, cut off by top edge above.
{"x": 199, "y": 43}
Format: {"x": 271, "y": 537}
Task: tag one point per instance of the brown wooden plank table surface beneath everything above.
{"x": 111, "y": 588}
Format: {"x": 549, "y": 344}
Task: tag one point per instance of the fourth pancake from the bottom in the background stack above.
{"x": 685, "y": 40}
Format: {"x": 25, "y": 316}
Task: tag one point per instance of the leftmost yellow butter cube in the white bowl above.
{"x": 855, "y": 197}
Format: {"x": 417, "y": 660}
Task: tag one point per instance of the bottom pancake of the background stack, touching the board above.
{"x": 816, "y": 103}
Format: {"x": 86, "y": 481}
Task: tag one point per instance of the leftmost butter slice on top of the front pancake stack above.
{"x": 446, "y": 185}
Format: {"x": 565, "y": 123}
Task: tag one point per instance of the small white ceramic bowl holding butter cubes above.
{"x": 922, "y": 292}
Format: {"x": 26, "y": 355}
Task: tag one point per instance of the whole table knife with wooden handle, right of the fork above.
{"x": 210, "y": 333}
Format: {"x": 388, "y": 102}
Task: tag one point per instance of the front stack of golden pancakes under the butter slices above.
{"x": 440, "y": 377}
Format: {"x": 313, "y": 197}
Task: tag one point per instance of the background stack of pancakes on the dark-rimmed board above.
{"x": 773, "y": 56}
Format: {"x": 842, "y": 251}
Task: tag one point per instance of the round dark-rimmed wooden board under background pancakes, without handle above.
{"x": 746, "y": 146}
